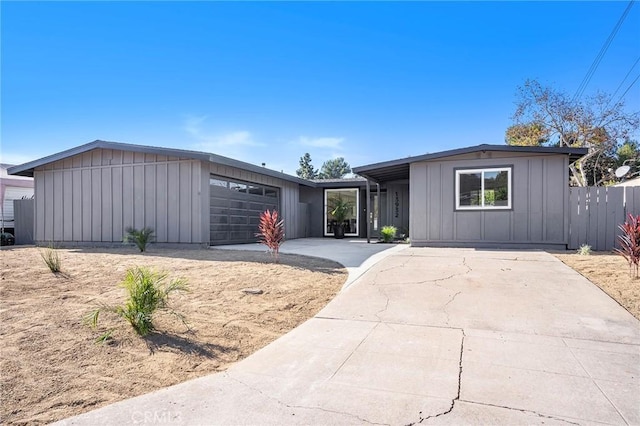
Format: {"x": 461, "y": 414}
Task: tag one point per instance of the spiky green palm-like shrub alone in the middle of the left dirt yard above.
{"x": 147, "y": 293}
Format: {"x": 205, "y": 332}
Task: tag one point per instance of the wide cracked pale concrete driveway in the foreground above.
{"x": 429, "y": 336}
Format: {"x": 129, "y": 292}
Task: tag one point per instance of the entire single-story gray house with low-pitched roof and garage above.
{"x": 487, "y": 195}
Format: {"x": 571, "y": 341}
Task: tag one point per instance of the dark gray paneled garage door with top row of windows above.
{"x": 235, "y": 208}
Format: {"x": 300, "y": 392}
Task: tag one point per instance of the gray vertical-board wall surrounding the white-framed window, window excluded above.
{"x": 538, "y": 216}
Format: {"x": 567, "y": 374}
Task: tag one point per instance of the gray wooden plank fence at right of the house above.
{"x": 596, "y": 212}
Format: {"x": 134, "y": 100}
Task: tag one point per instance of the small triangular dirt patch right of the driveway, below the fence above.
{"x": 610, "y": 272}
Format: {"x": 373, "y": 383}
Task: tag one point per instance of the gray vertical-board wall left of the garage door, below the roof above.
{"x": 94, "y": 196}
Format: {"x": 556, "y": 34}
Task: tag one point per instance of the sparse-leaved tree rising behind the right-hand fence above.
{"x": 555, "y": 119}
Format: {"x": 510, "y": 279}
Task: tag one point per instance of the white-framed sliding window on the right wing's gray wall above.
{"x": 483, "y": 189}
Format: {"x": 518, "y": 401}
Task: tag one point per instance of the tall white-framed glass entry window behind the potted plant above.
{"x": 341, "y": 197}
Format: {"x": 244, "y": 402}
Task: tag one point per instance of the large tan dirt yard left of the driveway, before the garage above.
{"x": 51, "y": 368}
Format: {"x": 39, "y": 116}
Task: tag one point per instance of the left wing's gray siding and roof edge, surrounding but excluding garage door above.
{"x": 92, "y": 193}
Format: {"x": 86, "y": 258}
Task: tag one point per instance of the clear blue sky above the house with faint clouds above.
{"x": 267, "y": 82}
